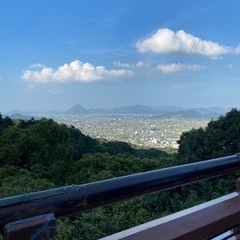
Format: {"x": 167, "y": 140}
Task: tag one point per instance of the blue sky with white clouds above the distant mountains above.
{"x": 55, "y": 54}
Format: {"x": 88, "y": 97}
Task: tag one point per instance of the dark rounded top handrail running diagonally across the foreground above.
{"x": 77, "y": 198}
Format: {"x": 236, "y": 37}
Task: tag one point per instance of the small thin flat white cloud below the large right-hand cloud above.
{"x": 178, "y": 67}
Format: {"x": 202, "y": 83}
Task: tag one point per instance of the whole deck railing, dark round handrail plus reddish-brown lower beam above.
{"x": 32, "y": 216}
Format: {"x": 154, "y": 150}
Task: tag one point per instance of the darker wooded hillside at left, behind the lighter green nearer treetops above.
{"x": 27, "y": 143}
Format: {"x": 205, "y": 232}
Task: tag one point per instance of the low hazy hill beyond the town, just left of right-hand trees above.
{"x": 190, "y": 114}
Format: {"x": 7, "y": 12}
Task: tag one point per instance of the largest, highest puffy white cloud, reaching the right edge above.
{"x": 166, "y": 41}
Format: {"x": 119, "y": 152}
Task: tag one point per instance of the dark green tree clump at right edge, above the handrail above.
{"x": 220, "y": 138}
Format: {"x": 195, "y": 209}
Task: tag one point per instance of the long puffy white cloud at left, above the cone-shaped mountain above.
{"x": 76, "y": 71}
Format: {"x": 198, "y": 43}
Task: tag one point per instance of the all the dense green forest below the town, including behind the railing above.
{"x": 42, "y": 154}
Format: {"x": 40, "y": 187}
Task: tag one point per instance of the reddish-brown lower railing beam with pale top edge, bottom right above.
{"x": 216, "y": 219}
